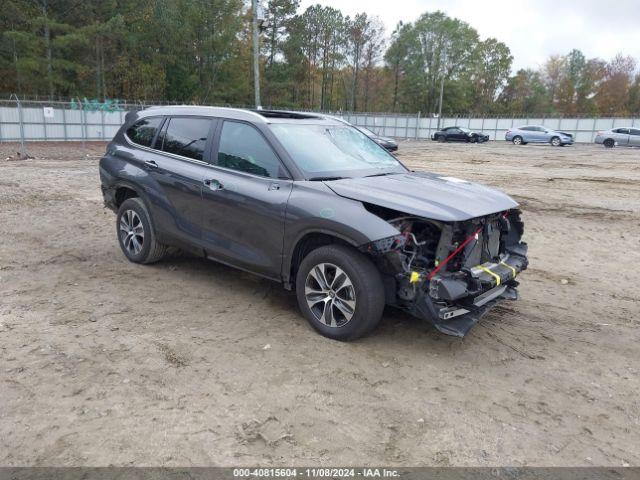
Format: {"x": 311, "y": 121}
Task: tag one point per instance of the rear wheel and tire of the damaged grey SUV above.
{"x": 136, "y": 235}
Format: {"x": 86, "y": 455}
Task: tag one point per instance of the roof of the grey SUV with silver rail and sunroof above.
{"x": 250, "y": 115}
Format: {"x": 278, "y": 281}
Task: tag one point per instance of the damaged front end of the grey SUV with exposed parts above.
{"x": 450, "y": 273}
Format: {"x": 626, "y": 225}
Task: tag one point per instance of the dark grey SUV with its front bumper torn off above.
{"x": 311, "y": 202}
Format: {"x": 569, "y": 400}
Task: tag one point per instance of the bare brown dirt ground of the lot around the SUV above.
{"x": 187, "y": 362}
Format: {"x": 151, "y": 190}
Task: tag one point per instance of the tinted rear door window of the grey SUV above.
{"x": 185, "y": 136}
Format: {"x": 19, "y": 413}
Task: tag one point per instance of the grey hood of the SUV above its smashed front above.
{"x": 426, "y": 195}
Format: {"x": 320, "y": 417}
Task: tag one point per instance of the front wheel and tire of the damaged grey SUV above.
{"x": 340, "y": 292}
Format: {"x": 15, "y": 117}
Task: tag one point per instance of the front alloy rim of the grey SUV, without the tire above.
{"x": 330, "y": 295}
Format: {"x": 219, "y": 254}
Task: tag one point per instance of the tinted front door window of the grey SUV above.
{"x": 243, "y": 148}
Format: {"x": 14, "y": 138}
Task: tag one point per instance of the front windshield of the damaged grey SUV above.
{"x": 326, "y": 151}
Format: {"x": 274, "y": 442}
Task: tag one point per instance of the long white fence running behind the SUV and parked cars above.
{"x": 60, "y": 121}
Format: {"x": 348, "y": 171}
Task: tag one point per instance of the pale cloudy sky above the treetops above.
{"x": 533, "y": 30}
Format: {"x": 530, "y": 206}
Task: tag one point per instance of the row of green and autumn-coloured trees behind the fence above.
{"x": 200, "y": 51}
